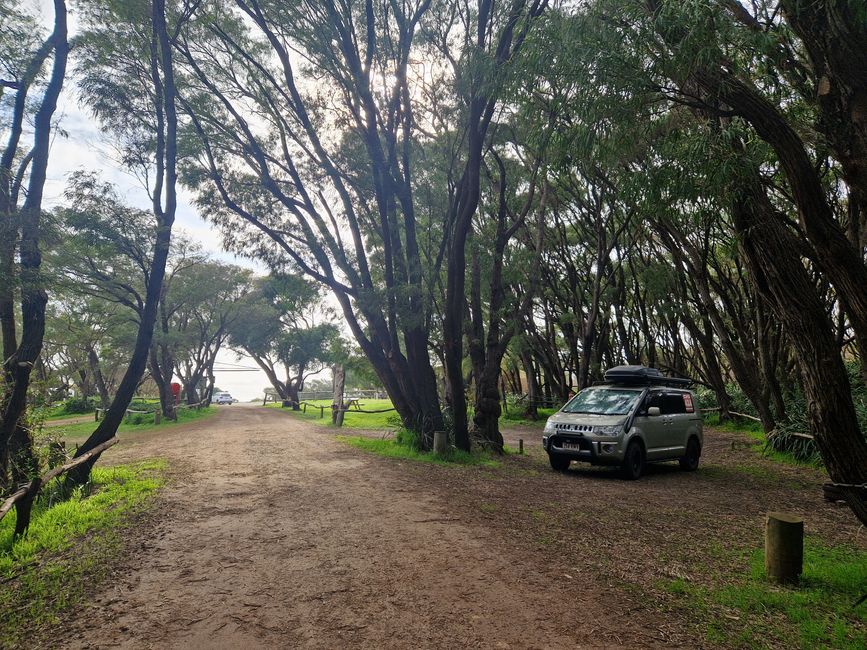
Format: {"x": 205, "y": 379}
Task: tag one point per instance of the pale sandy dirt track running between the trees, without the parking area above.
{"x": 272, "y": 534}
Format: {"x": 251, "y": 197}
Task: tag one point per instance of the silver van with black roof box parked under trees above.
{"x": 636, "y": 416}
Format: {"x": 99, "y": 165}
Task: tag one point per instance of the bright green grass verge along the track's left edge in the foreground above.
{"x": 69, "y": 546}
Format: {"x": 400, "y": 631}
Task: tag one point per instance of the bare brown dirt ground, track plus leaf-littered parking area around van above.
{"x": 273, "y": 534}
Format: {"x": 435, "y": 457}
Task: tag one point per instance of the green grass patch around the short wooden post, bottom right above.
{"x": 747, "y": 611}
